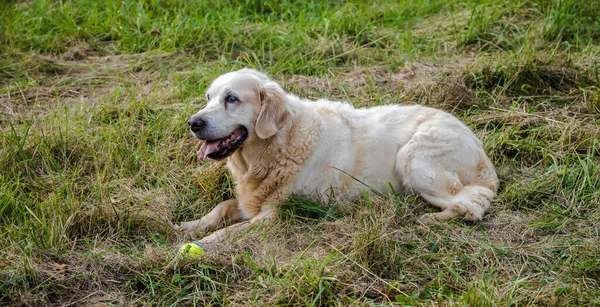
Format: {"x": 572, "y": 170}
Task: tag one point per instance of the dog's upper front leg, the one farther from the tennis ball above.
{"x": 224, "y": 213}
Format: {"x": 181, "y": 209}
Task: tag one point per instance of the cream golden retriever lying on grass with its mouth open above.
{"x": 277, "y": 144}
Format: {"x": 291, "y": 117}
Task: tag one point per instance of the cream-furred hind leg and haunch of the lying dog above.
{"x": 460, "y": 182}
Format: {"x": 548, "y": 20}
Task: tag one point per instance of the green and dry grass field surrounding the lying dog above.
{"x": 96, "y": 157}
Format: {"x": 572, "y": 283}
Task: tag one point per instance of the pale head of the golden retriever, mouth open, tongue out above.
{"x": 242, "y": 105}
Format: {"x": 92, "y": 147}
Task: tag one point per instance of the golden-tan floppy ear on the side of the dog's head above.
{"x": 273, "y": 111}
